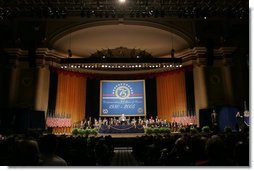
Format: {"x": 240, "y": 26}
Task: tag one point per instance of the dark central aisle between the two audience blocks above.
{"x": 123, "y": 157}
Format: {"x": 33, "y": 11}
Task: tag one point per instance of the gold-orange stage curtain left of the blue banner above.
{"x": 71, "y": 96}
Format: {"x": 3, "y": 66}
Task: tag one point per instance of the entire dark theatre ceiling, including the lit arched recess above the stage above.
{"x": 85, "y": 27}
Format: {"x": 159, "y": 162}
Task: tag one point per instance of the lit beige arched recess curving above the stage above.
{"x": 86, "y": 41}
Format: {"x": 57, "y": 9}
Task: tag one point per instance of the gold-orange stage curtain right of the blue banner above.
{"x": 171, "y": 95}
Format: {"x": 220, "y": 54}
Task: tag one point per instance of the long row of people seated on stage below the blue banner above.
{"x": 113, "y": 121}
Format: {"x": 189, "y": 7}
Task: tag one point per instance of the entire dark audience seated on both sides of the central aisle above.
{"x": 176, "y": 149}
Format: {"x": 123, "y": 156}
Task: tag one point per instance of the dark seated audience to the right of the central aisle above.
{"x": 202, "y": 149}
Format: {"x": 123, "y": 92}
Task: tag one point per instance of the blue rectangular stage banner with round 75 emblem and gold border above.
{"x": 122, "y": 97}
